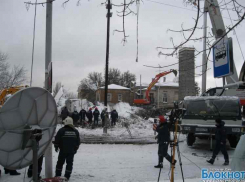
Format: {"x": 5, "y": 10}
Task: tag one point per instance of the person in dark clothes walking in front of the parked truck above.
{"x": 220, "y": 137}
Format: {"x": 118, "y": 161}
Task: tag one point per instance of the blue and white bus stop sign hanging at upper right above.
{"x": 223, "y": 58}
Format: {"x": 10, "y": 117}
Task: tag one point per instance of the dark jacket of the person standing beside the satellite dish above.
{"x": 67, "y": 139}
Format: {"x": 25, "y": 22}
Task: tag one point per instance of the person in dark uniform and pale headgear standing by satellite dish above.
{"x": 68, "y": 141}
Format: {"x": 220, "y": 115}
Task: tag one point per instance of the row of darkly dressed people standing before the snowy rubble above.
{"x": 92, "y": 116}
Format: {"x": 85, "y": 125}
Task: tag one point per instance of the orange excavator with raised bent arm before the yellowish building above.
{"x": 154, "y": 81}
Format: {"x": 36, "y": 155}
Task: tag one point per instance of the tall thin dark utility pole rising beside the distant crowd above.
{"x": 109, "y": 15}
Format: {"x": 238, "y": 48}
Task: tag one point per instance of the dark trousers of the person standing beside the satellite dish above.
{"x": 68, "y": 158}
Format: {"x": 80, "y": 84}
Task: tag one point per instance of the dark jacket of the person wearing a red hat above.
{"x": 163, "y": 133}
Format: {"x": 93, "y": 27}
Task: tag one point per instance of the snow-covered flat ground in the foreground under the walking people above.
{"x": 132, "y": 163}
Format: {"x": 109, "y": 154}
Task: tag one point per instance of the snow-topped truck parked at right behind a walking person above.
{"x": 199, "y": 114}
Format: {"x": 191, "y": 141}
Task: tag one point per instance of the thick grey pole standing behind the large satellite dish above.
{"x": 48, "y": 58}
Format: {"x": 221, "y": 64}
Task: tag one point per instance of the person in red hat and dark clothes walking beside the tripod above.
{"x": 163, "y": 139}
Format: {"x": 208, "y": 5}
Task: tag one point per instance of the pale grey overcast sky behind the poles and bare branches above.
{"x": 79, "y": 39}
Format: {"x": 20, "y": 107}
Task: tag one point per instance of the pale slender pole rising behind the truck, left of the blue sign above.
{"x": 204, "y": 56}
